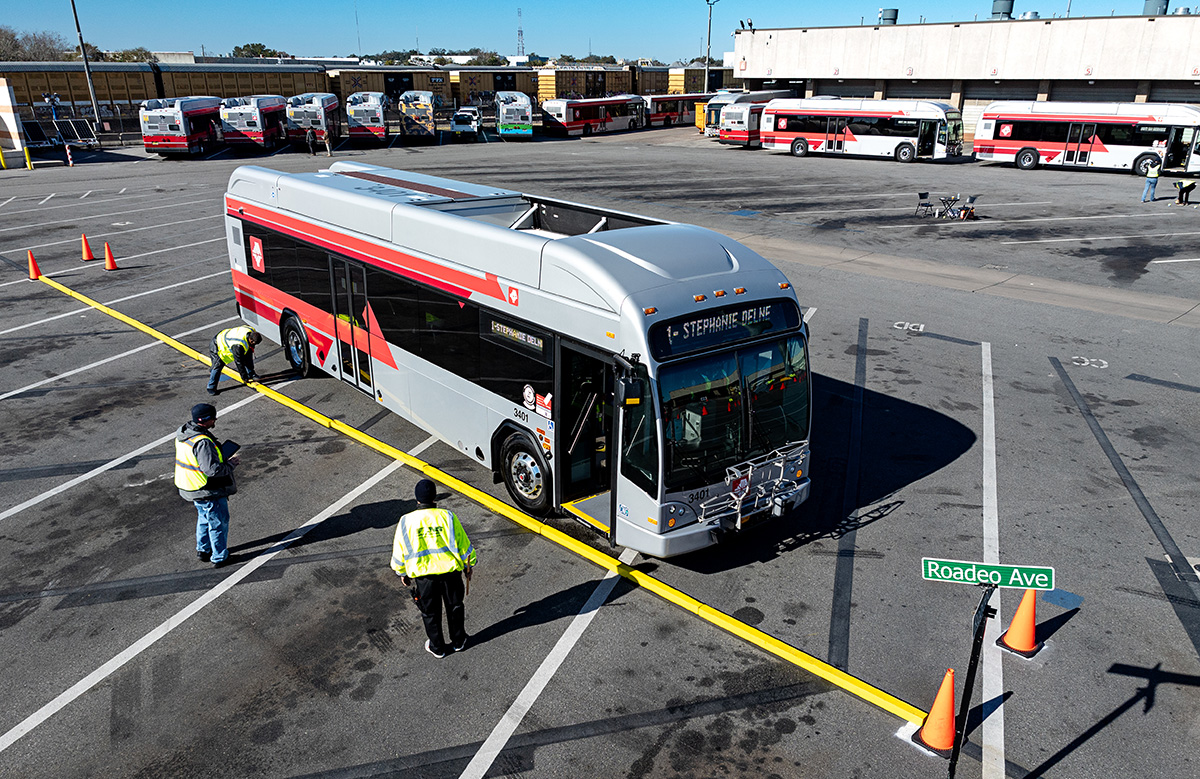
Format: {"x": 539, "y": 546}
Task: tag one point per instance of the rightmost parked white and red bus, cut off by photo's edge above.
{"x": 1106, "y": 136}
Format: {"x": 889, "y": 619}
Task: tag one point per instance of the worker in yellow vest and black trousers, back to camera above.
{"x": 431, "y": 554}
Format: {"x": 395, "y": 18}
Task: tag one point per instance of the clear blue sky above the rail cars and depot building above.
{"x": 667, "y": 31}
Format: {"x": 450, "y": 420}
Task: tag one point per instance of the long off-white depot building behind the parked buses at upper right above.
{"x": 971, "y": 64}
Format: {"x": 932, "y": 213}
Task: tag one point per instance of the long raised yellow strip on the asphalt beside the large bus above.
{"x": 725, "y": 622}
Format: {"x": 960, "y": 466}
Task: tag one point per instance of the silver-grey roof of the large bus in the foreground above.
{"x": 587, "y": 255}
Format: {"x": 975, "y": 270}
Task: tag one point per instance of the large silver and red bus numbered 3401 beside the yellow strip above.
{"x": 615, "y": 367}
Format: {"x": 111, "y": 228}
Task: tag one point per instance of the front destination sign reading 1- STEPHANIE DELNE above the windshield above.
{"x": 719, "y": 327}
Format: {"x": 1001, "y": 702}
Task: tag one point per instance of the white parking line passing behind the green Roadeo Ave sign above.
{"x": 993, "y": 662}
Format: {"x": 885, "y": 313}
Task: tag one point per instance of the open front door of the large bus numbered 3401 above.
{"x": 584, "y": 430}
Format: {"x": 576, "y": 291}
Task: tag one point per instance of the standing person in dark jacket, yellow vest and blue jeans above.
{"x": 205, "y": 476}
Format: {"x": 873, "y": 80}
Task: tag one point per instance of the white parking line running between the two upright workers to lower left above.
{"x": 193, "y": 609}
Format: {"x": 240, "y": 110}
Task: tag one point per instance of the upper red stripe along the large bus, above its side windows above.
{"x": 455, "y": 283}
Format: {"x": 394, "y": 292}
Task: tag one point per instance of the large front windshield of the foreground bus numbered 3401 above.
{"x": 724, "y": 409}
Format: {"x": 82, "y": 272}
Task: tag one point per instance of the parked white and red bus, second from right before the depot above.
{"x": 905, "y": 130}
